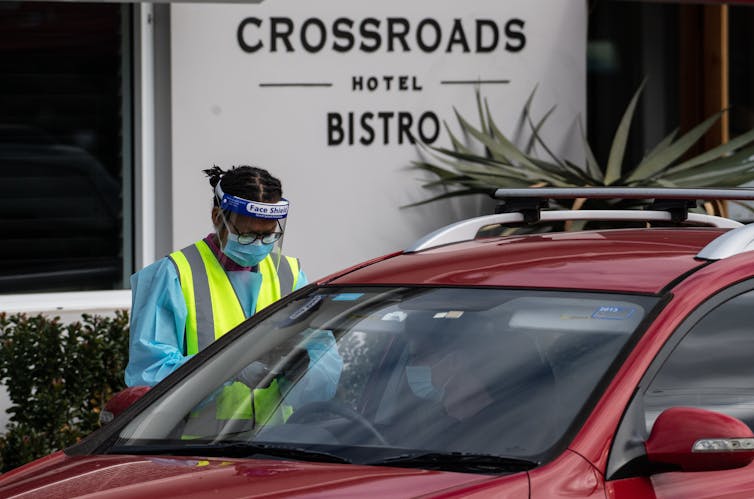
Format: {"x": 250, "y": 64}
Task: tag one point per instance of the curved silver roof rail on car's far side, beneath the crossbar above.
{"x": 466, "y": 230}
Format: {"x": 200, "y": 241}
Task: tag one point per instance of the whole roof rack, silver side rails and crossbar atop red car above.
{"x": 529, "y": 206}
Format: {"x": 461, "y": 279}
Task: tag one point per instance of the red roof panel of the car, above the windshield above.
{"x": 645, "y": 260}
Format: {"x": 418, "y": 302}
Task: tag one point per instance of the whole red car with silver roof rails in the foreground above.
{"x": 607, "y": 363}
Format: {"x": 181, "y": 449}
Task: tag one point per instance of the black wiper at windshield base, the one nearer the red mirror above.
{"x": 459, "y": 461}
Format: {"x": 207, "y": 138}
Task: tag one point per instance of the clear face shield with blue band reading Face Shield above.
{"x": 254, "y": 229}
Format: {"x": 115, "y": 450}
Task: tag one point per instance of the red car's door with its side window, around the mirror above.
{"x": 707, "y": 364}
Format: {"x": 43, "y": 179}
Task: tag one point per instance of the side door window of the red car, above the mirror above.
{"x": 711, "y": 367}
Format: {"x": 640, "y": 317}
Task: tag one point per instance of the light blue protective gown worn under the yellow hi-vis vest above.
{"x": 158, "y": 318}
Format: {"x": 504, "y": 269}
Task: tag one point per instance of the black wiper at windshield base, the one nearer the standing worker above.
{"x": 234, "y": 449}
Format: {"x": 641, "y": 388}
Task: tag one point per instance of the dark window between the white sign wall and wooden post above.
{"x": 628, "y": 42}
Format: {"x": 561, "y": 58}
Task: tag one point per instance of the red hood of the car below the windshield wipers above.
{"x": 118, "y": 476}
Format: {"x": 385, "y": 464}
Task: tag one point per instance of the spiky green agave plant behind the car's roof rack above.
{"x": 462, "y": 171}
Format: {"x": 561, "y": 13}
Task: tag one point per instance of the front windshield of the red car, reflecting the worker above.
{"x": 397, "y": 375}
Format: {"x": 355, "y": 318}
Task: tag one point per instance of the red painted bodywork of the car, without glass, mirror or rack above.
{"x": 656, "y": 261}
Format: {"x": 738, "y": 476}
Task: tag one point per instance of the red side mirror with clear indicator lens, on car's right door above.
{"x": 699, "y": 440}
